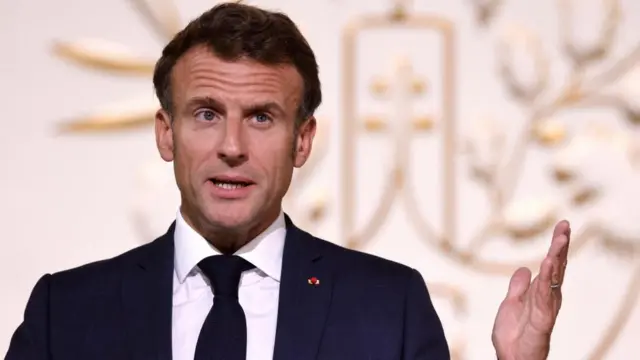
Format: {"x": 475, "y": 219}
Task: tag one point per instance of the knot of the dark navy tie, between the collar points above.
{"x": 224, "y": 273}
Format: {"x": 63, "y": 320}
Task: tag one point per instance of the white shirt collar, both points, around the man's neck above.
{"x": 264, "y": 251}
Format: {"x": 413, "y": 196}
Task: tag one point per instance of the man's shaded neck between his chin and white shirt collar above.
{"x": 228, "y": 240}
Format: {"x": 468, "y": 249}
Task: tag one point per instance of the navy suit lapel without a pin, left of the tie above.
{"x": 147, "y": 299}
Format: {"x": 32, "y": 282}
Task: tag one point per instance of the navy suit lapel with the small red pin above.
{"x": 303, "y": 307}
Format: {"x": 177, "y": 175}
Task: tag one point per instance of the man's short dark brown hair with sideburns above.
{"x": 234, "y": 31}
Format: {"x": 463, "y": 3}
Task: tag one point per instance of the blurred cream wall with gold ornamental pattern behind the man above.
{"x": 453, "y": 135}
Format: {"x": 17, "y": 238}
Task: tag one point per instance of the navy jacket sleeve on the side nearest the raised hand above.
{"x": 424, "y": 336}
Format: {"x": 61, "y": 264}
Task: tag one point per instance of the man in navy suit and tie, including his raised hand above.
{"x": 238, "y": 88}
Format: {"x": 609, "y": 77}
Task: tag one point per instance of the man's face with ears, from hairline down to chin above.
{"x": 233, "y": 139}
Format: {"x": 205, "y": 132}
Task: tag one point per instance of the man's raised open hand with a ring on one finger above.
{"x": 527, "y": 315}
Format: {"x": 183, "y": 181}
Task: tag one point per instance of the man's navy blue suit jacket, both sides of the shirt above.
{"x": 364, "y": 308}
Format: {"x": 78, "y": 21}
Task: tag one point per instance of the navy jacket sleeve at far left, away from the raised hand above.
{"x": 30, "y": 341}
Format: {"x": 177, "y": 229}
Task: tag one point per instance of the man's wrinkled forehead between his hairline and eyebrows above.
{"x": 201, "y": 73}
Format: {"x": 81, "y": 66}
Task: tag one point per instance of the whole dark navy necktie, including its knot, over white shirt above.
{"x": 224, "y": 332}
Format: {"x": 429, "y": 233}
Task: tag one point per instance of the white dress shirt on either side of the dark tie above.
{"x": 258, "y": 293}
